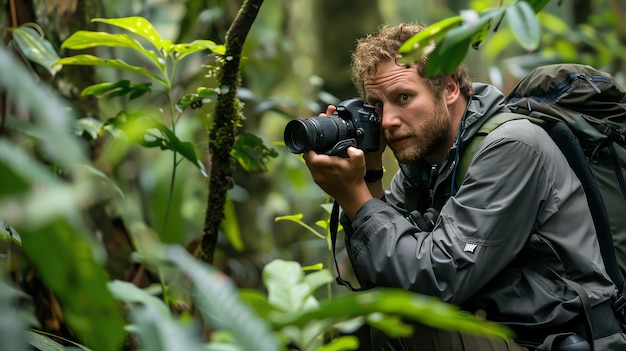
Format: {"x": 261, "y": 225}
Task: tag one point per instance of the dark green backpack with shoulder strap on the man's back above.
{"x": 584, "y": 112}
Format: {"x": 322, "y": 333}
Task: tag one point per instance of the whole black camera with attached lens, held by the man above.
{"x": 354, "y": 123}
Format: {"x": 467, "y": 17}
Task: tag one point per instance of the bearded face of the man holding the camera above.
{"x": 416, "y": 124}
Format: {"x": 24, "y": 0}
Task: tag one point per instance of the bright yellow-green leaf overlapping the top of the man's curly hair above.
{"x": 422, "y": 43}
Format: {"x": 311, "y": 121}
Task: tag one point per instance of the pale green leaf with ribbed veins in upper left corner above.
{"x": 36, "y": 48}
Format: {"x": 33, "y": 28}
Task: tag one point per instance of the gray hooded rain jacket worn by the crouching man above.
{"x": 519, "y": 215}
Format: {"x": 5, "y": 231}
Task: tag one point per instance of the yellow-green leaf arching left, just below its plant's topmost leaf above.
{"x": 86, "y": 39}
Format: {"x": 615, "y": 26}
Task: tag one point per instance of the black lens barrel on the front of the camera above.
{"x": 319, "y": 134}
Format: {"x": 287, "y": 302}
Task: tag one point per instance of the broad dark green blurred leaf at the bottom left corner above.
{"x": 77, "y": 281}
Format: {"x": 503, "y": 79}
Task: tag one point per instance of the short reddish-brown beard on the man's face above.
{"x": 432, "y": 135}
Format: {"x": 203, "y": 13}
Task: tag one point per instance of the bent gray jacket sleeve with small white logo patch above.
{"x": 478, "y": 232}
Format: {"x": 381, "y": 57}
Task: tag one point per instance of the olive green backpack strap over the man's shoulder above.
{"x": 469, "y": 149}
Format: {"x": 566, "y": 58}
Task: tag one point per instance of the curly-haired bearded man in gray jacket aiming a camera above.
{"x": 499, "y": 242}
